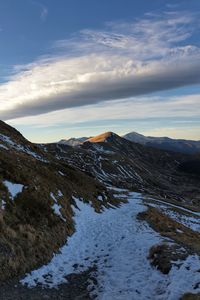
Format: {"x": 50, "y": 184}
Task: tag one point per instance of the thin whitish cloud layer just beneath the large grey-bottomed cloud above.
{"x": 140, "y": 108}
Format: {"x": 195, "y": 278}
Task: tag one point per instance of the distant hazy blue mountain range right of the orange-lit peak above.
{"x": 165, "y": 143}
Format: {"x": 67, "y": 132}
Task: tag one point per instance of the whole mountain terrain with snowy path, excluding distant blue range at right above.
{"x": 66, "y": 215}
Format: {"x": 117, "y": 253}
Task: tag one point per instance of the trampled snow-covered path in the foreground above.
{"x": 118, "y": 244}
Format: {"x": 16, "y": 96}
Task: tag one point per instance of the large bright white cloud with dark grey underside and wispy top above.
{"x": 121, "y": 61}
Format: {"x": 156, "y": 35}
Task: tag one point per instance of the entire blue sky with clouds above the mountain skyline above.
{"x": 79, "y": 68}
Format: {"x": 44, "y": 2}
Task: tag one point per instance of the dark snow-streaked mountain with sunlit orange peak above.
{"x": 117, "y": 161}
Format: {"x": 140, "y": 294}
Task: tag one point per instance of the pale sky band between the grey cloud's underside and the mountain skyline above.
{"x": 148, "y": 115}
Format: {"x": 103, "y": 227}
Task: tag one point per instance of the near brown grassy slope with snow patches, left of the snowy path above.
{"x": 37, "y": 194}
